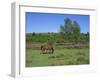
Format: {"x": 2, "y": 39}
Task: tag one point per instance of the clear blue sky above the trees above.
{"x": 47, "y": 22}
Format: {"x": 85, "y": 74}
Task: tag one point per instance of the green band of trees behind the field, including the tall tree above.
{"x": 69, "y": 32}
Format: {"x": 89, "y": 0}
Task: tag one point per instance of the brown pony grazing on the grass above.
{"x": 47, "y": 48}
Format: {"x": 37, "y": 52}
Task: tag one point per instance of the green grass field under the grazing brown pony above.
{"x": 60, "y": 57}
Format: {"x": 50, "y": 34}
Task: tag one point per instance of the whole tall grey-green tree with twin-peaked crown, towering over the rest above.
{"x": 69, "y": 31}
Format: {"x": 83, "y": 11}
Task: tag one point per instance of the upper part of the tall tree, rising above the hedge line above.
{"x": 69, "y": 27}
